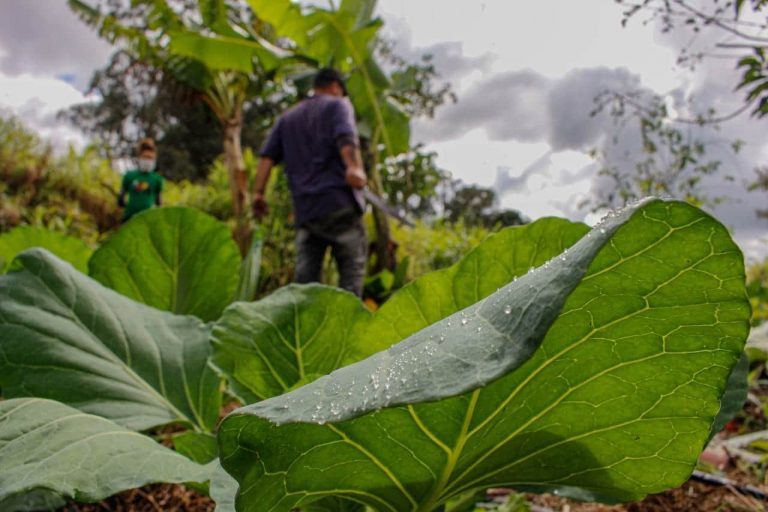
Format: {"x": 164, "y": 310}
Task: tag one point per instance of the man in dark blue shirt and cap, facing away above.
{"x": 318, "y": 144}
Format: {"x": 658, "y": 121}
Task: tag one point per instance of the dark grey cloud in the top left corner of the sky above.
{"x": 45, "y": 37}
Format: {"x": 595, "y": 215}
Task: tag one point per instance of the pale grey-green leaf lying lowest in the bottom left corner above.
{"x": 47, "y": 447}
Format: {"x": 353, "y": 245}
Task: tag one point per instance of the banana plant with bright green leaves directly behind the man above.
{"x": 344, "y": 38}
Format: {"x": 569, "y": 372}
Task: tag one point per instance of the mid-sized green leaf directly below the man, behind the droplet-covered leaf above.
{"x": 293, "y": 336}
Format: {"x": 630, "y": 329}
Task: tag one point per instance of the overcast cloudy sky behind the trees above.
{"x": 526, "y": 76}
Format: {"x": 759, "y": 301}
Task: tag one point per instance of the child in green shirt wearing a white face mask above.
{"x": 143, "y": 186}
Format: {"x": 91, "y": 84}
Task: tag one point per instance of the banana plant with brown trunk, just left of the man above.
{"x": 201, "y": 63}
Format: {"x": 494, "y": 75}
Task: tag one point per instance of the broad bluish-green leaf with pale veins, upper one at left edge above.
{"x": 66, "y": 337}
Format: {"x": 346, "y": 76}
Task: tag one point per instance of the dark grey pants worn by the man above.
{"x": 344, "y": 233}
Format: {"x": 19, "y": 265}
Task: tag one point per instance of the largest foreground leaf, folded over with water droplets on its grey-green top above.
{"x": 639, "y": 325}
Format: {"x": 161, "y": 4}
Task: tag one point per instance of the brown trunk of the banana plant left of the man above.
{"x": 238, "y": 181}
